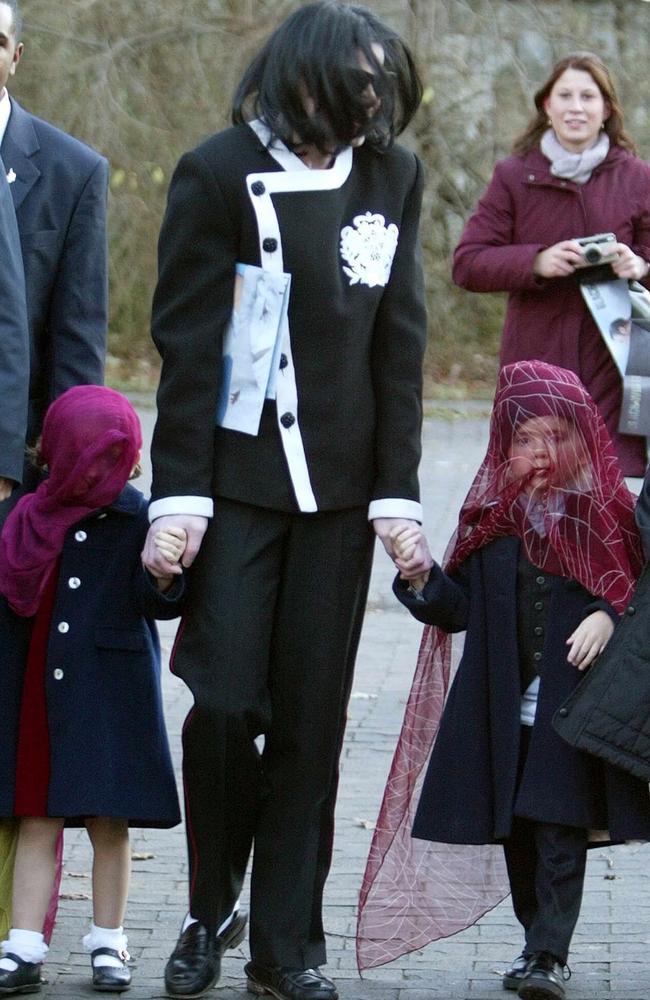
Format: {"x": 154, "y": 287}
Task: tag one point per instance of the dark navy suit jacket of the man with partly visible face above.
{"x": 59, "y": 195}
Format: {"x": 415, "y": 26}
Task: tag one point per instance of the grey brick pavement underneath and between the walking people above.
{"x": 611, "y": 956}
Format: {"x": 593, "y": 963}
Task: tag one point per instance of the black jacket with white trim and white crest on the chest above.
{"x": 356, "y": 345}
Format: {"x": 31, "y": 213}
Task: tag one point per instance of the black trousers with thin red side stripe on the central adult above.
{"x": 267, "y": 647}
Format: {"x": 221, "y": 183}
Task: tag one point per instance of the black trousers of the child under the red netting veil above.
{"x": 546, "y": 870}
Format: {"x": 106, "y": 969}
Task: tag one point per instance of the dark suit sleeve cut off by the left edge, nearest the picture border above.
{"x": 14, "y": 341}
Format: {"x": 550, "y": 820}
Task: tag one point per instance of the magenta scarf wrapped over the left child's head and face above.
{"x": 90, "y": 442}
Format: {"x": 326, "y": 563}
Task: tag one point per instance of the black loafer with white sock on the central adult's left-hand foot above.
{"x": 195, "y": 963}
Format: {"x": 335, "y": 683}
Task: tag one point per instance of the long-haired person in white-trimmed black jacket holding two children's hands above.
{"x": 294, "y": 419}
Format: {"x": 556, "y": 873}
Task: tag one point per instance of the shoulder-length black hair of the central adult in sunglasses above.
{"x": 315, "y": 53}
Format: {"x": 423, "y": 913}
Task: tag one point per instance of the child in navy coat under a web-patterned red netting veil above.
{"x": 543, "y": 561}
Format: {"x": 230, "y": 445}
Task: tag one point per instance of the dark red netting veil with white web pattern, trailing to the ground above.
{"x": 575, "y": 517}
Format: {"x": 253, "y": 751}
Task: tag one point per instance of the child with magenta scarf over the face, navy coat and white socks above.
{"x": 83, "y": 739}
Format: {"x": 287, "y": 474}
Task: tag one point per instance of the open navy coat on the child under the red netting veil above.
{"x": 470, "y": 793}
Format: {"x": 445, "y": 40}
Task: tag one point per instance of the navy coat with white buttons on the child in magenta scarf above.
{"x": 109, "y": 754}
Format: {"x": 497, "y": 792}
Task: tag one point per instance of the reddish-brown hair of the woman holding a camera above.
{"x": 589, "y": 63}
